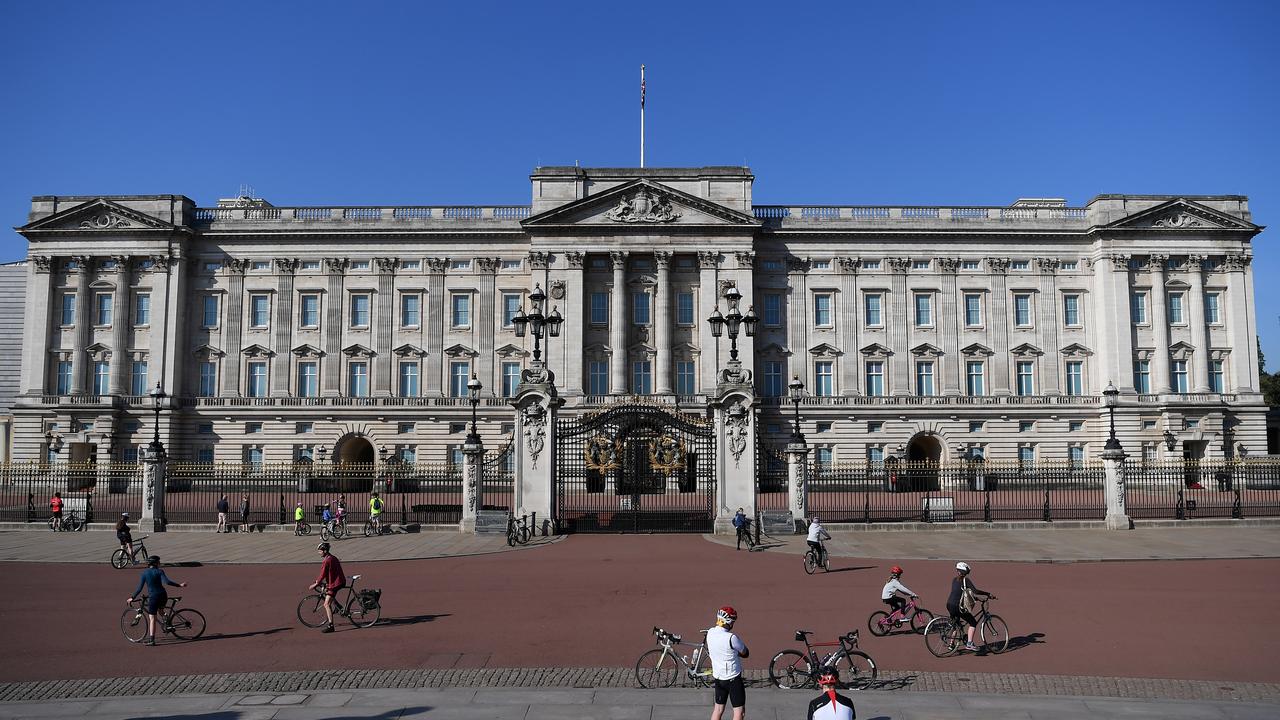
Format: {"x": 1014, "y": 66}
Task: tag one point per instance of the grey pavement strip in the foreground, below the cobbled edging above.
{"x": 610, "y": 704}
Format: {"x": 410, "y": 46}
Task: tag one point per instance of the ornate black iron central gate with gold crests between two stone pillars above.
{"x": 636, "y": 470}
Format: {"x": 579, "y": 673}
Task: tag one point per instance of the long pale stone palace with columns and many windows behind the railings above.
{"x": 360, "y": 334}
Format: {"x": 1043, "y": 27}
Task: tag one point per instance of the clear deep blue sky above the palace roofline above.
{"x": 455, "y": 103}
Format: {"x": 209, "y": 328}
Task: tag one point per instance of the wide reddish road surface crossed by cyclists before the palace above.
{"x": 592, "y": 601}
